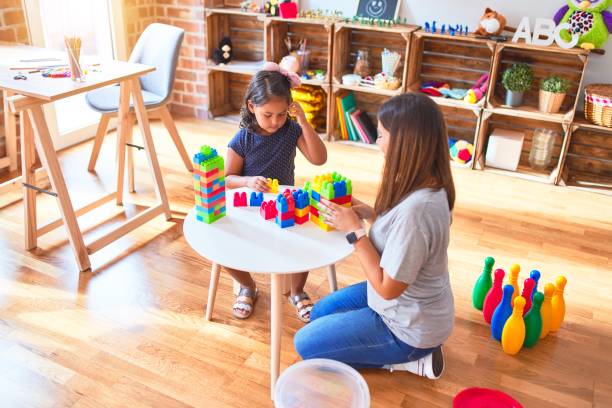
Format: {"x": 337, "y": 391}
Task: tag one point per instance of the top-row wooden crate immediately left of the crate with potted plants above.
{"x": 457, "y": 60}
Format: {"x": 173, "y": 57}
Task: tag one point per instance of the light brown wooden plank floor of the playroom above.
{"x": 132, "y": 333}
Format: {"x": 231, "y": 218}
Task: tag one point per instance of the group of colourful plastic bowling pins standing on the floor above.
{"x": 518, "y": 319}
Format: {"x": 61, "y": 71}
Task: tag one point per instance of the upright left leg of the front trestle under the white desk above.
{"x": 28, "y": 157}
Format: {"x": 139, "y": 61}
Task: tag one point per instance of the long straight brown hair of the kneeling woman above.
{"x": 417, "y": 155}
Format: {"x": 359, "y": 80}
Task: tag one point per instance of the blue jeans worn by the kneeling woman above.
{"x": 343, "y": 328}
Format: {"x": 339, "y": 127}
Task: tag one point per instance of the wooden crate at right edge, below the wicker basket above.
{"x": 588, "y": 163}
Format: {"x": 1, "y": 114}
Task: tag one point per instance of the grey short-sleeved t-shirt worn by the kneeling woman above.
{"x": 412, "y": 239}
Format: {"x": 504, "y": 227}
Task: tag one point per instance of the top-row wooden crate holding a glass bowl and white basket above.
{"x": 349, "y": 38}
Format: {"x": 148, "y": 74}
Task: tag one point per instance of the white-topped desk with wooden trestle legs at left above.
{"x": 27, "y": 98}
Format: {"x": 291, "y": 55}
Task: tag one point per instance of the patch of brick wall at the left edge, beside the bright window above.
{"x": 13, "y": 29}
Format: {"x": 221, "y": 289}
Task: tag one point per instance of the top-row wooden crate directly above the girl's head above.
{"x": 319, "y": 36}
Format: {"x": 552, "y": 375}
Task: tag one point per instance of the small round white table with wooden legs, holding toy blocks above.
{"x": 243, "y": 240}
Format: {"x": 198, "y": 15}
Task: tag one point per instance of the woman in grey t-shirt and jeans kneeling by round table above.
{"x": 400, "y": 316}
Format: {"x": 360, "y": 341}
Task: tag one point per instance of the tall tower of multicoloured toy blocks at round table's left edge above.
{"x": 209, "y": 183}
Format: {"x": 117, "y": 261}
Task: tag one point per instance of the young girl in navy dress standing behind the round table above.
{"x": 265, "y": 147}
